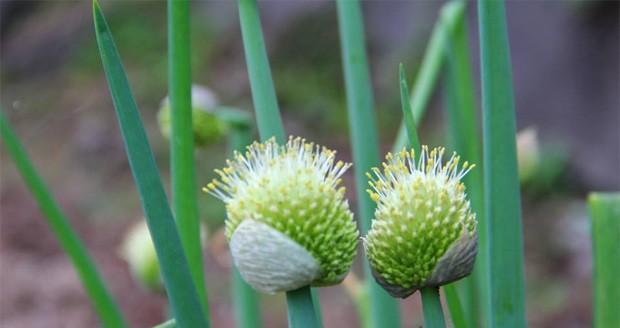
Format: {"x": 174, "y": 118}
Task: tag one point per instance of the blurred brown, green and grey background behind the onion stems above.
{"x": 565, "y": 61}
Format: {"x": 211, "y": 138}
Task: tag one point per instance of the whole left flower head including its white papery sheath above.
{"x": 288, "y": 224}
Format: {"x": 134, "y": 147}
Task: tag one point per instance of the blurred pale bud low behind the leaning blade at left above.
{"x": 139, "y": 252}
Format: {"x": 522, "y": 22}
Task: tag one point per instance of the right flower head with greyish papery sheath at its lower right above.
{"x": 424, "y": 232}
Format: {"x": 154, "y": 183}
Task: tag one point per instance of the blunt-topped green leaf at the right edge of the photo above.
{"x": 605, "y": 213}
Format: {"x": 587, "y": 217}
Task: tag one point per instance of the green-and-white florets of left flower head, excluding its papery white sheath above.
{"x": 295, "y": 189}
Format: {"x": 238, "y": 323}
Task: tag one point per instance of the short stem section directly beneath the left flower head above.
{"x": 301, "y": 312}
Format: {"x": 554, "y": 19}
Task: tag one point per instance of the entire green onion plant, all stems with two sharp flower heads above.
{"x": 421, "y": 230}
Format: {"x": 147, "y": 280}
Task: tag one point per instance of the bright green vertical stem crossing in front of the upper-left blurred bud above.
{"x": 182, "y": 173}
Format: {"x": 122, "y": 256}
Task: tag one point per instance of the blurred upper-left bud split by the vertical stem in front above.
{"x": 208, "y": 127}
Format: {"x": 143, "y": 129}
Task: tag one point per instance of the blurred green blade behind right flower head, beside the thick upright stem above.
{"x": 465, "y": 138}
